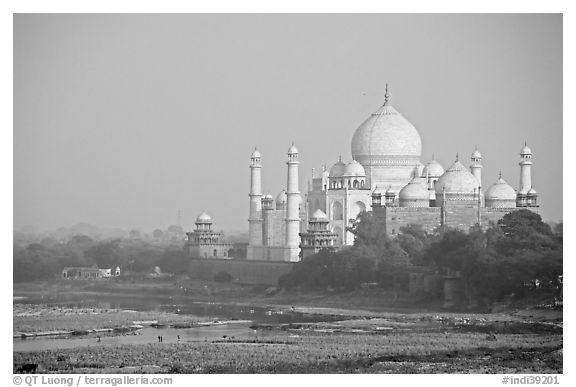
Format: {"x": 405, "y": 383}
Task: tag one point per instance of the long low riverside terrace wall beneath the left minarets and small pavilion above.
{"x": 243, "y": 272}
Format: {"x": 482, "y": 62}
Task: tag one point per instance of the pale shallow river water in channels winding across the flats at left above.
{"x": 240, "y": 317}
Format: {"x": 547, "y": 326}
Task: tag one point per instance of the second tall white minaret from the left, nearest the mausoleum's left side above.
{"x": 292, "y": 203}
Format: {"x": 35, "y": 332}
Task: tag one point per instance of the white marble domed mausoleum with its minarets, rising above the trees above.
{"x": 386, "y": 177}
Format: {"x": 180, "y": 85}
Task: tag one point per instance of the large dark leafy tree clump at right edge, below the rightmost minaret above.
{"x": 517, "y": 255}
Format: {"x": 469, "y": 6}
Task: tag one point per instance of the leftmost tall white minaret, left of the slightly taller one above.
{"x": 255, "y": 220}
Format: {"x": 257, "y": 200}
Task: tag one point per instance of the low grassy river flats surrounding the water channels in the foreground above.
{"x": 376, "y": 339}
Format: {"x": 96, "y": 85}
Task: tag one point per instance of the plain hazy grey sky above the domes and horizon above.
{"x": 121, "y": 120}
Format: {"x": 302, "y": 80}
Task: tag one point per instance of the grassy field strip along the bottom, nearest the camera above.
{"x": 417, "y": 352}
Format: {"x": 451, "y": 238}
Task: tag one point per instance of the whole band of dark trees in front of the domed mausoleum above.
{"x": 517, "y": 255}
